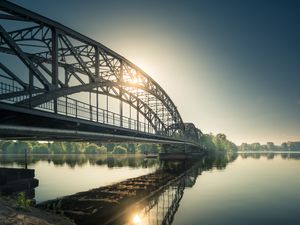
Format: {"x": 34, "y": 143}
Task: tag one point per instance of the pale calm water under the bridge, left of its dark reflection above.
{"x": 61, "y": 175}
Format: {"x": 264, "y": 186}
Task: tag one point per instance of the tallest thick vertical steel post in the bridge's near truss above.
{"x": 54, "y": 53}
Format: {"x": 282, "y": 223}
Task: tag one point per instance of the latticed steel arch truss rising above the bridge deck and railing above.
{"x": 62, "y": 62}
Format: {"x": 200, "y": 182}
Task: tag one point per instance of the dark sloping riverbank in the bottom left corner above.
{"x": 9, "y": 215}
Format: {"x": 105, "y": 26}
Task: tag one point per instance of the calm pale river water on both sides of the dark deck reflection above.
{"x": 236, "y": 189}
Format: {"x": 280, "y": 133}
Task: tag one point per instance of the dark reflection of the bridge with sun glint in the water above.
{"x": 152, "y": 199}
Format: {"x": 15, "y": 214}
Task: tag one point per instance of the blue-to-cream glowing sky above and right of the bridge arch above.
{"x": 231, "y": 67}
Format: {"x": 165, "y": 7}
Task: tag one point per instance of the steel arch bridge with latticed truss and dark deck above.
{"x": 44, "y": 65}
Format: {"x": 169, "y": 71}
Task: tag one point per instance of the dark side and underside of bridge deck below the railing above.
{"x": 22, "y": 123}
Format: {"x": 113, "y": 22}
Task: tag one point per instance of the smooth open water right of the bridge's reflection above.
{"x": 254, "y": 189}
